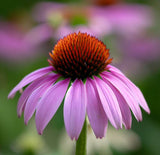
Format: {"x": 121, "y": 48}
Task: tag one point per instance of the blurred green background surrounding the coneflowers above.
{"x": 18, "y": 139}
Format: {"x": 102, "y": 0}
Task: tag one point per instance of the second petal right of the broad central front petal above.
{"x": 109, "y": 103}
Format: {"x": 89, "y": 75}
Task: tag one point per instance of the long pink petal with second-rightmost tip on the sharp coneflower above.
{"x": 126, "y": 93}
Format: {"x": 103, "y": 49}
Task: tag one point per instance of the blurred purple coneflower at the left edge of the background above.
{"x": 17, "y": 46}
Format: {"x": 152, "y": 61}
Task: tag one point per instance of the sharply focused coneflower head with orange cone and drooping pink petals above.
{"x": 81, "y": 74}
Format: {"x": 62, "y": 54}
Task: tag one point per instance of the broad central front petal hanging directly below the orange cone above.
{"x": 75, "y": 109}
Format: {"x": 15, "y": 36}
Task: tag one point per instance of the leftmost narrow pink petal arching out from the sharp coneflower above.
{"x": 29, "y": 78}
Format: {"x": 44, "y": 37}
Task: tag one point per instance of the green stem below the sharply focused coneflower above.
{"x": 82, "y": 141}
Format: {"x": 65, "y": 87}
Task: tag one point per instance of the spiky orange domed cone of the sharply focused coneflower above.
{"x": 79, "y": 56}
